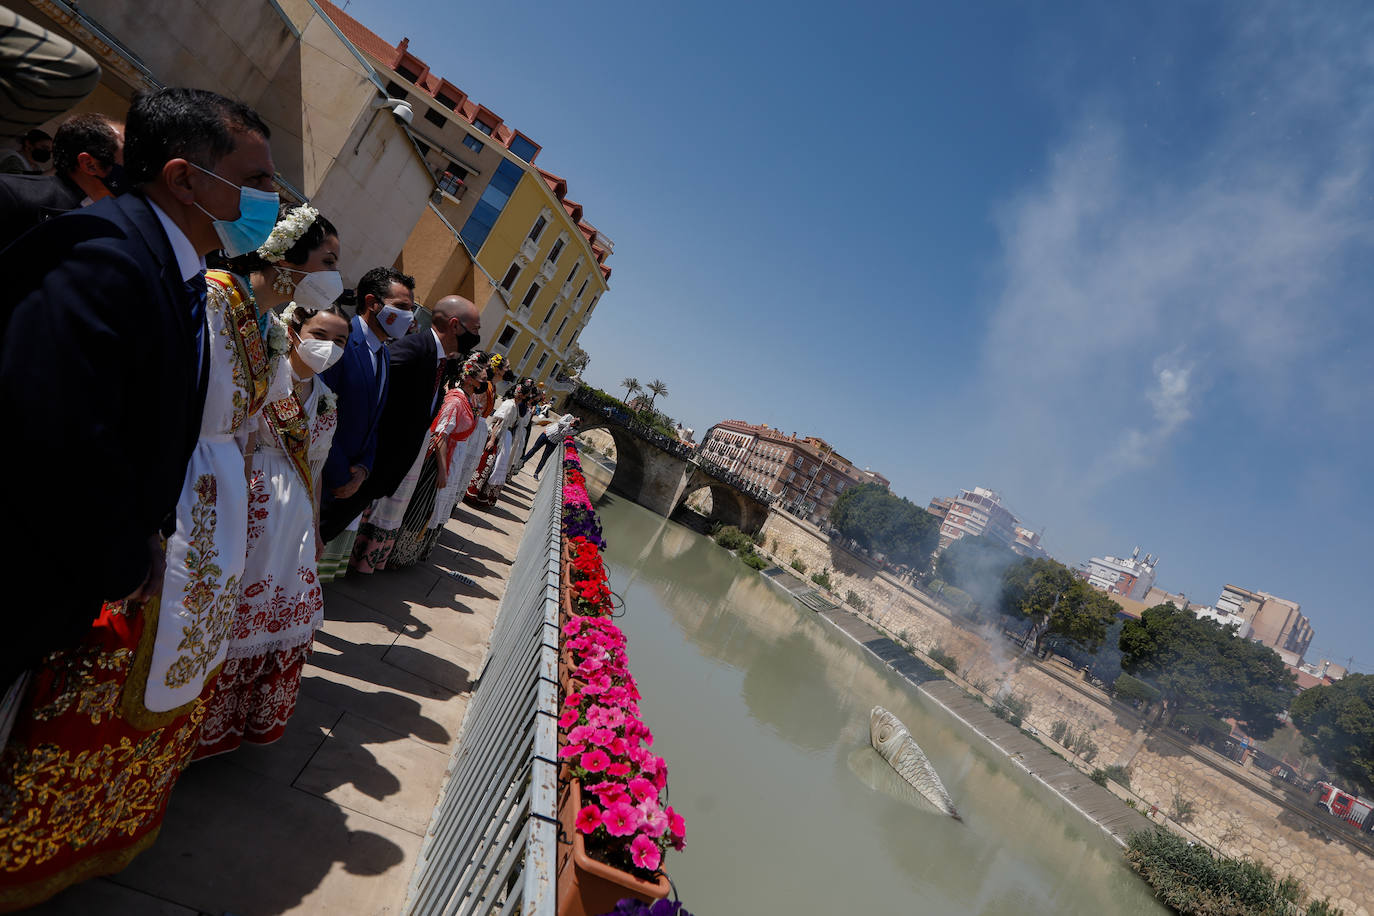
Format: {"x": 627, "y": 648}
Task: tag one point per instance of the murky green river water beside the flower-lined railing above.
{"x": 762, "y": 712}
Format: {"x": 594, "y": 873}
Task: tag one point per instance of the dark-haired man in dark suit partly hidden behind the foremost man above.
{"x": 89, "y": 154}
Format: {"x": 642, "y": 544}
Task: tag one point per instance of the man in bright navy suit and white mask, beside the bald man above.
{"x": 362, "y": 380}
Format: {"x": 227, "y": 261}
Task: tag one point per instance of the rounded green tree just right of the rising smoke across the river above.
{"x": 1057, "y": 604}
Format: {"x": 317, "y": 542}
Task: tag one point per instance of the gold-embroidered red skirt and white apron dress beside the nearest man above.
{"x": 108, "y": 727}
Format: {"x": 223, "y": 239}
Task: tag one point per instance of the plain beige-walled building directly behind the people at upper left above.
{"x": 354, "y": 161}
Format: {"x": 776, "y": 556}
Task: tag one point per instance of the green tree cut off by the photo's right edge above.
{"x": 1338, "y": 720}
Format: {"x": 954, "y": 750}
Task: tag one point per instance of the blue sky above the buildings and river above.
{"x": 1111, "y": 263}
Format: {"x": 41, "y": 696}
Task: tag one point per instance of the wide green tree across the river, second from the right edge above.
{"x": 1202, "y": 667}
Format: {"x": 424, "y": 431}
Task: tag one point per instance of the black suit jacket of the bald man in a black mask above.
{"x": 409, "y": 413}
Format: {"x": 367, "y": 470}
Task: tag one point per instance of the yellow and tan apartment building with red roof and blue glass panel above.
{"x": 498, "y": 229}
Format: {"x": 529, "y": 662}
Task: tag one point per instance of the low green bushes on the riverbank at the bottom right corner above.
{"x": 1196, "y": 882}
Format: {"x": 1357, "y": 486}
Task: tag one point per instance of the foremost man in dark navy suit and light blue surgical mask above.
{"x": 104, "y": 363}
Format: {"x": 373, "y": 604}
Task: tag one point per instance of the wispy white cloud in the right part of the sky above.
{"x": 1248, "y": 255}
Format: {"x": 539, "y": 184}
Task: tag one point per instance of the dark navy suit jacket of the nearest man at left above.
{"x": 100, "y": 387}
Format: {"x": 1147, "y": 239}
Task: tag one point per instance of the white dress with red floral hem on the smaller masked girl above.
{"x": 281, "y": 604}
